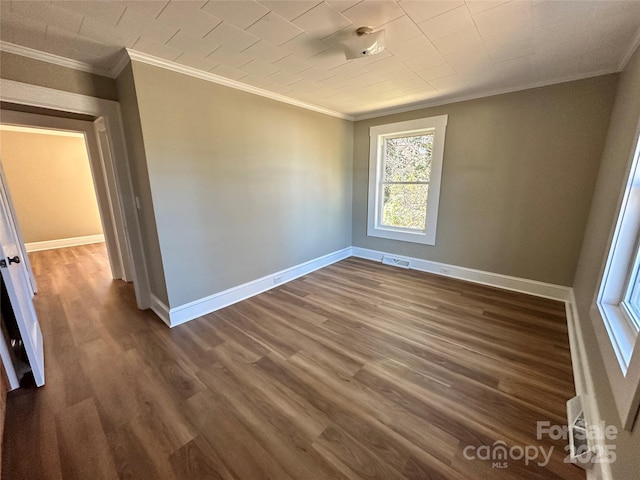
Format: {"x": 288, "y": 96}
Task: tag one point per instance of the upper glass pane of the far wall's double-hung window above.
{"x": 408, "y": 159}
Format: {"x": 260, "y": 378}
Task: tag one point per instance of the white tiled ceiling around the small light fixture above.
{"x": 436, "y": 50}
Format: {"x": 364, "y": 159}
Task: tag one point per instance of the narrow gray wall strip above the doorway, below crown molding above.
{"x": 27, "y": 70}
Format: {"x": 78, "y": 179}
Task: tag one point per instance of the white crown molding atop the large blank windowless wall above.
{"x": 211, "y": 77}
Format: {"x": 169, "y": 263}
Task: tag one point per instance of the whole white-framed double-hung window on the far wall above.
{"x": 405, "y": 166}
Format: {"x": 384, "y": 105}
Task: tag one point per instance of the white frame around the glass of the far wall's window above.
{"x": 377, "y": 135}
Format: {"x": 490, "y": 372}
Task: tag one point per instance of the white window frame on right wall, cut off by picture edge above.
{"x": 621, "y": 354}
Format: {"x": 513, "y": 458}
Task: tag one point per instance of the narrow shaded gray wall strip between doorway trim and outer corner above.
{"x": 140, "y": 180}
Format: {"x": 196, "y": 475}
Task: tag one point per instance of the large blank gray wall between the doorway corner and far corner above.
{"x": 242, "y": 186}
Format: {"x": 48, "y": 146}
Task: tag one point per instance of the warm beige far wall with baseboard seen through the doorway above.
{"x": 48, "y": 174}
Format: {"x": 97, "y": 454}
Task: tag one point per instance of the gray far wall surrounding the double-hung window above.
{"x": 518, "y": 175}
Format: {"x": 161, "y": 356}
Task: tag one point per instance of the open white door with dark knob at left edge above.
{"x": 16, "y": 279}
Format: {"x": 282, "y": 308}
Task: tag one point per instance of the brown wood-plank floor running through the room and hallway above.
{"x": 357, "y": 371}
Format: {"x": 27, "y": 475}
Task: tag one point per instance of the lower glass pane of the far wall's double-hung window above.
{"x": 405, "y": 206}
